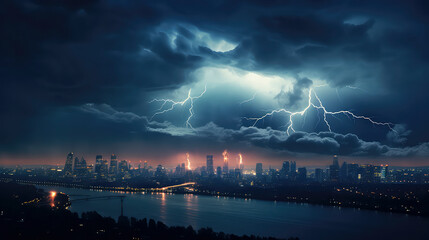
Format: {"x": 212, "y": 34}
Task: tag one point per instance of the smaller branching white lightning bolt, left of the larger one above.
{"x": 173, "y": 103}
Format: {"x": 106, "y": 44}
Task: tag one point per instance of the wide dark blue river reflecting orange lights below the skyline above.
{"x": 264, "y": 218}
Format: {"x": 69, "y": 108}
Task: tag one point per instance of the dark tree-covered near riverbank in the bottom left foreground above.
{"x": 25, "y": 213}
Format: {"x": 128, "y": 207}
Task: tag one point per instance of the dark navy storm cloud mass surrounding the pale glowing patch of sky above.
{"x": 59, "y": 54}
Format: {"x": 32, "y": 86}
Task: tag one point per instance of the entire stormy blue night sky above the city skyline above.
{"x": 152, "y": 80}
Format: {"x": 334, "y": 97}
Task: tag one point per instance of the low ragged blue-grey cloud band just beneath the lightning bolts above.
{"x": 325, "y": 143}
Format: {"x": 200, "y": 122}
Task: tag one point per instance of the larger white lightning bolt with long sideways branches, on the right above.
{"x": 318, "y": 106}
